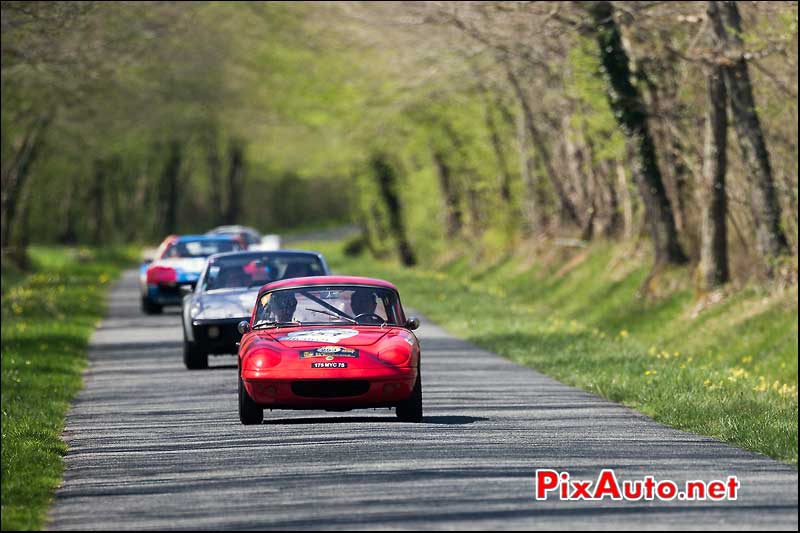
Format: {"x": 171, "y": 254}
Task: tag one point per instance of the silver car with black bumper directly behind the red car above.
{"x": 226, "y": 293}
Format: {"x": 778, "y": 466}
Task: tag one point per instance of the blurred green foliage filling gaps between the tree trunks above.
{"x": 314, "y": 89}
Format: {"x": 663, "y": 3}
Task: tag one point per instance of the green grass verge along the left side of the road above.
{"x": 47, "y": 317}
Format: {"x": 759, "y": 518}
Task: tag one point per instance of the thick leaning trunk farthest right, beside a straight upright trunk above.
{"x": 726, "y": 23}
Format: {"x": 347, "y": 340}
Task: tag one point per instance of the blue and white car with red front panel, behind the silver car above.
{"x": 177, "y": 266}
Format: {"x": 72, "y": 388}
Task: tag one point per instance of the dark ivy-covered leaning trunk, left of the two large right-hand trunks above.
{"x": 628, "y": 106}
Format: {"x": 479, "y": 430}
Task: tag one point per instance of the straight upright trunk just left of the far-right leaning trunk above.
{"x": 713, "y": 268}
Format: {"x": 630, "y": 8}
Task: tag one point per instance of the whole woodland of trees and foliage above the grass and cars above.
{"x": 433, "y": 126}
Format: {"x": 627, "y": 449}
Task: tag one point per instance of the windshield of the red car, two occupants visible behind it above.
{"x": 328, "y": 305}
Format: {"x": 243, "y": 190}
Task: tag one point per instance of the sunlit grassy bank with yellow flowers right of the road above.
{"x": 728, "y": 370}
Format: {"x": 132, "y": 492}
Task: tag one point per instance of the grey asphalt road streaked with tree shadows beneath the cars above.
{"x": 154, "y": 446}
